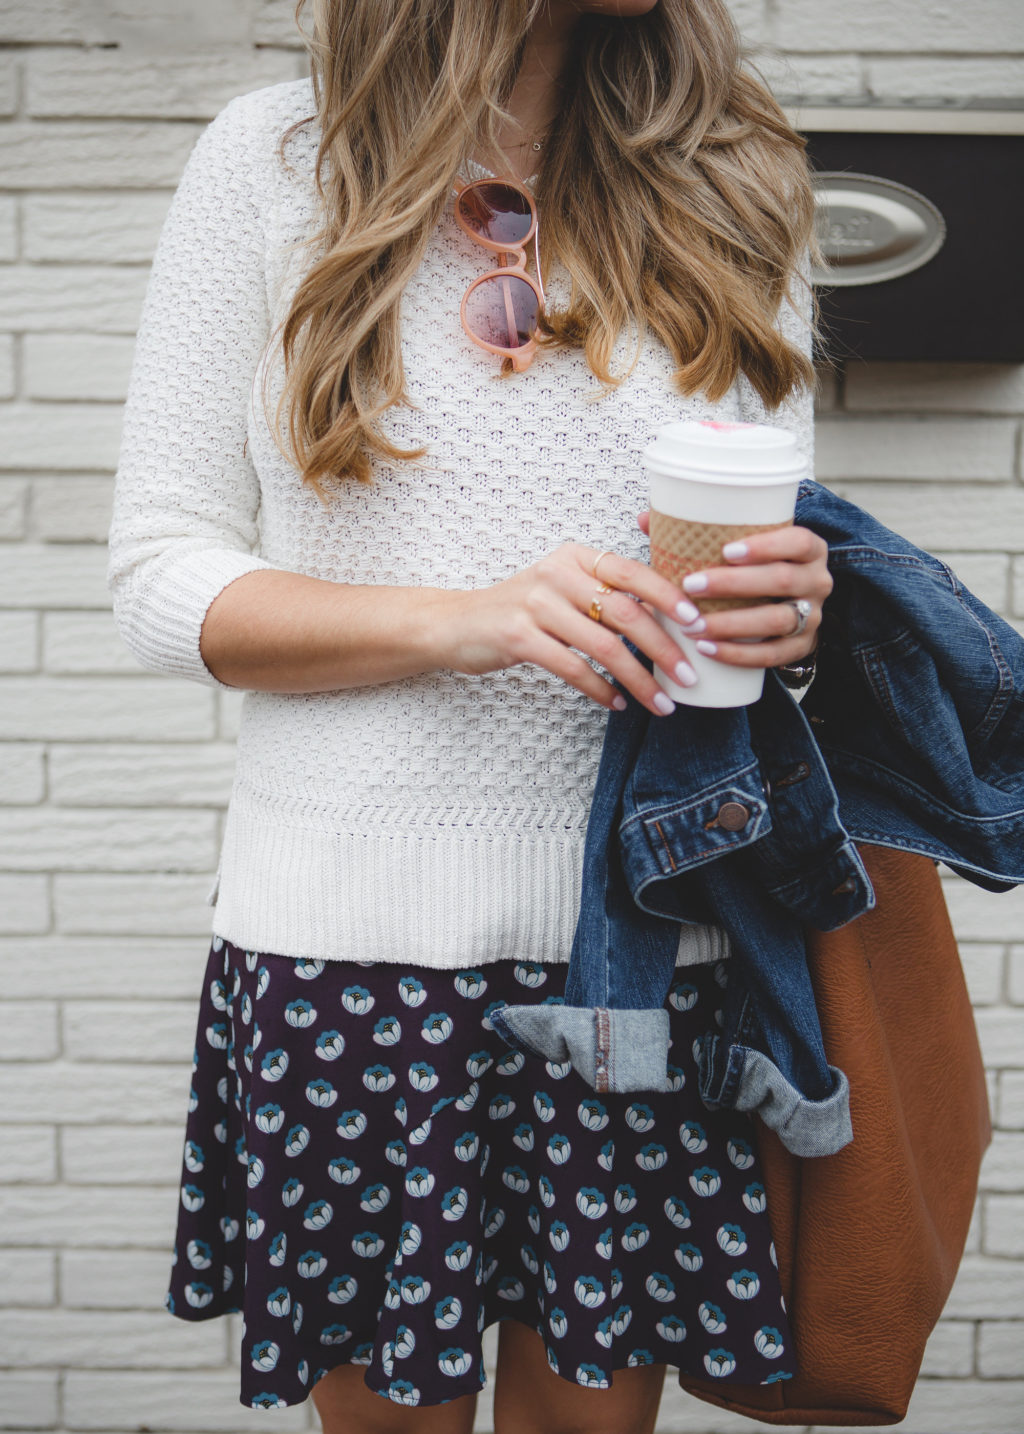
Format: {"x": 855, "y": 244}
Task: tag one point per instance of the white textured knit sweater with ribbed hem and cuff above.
{"x": 440, "y": 820}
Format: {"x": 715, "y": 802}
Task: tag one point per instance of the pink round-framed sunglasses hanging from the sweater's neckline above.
{"x": 501, "y": 310}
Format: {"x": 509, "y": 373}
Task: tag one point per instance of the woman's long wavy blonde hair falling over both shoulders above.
{"x": 673, "y": 191}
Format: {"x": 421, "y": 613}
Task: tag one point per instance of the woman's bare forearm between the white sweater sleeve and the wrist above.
{"x": 278, "y": 632}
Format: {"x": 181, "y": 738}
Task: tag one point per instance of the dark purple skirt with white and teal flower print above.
{"x": 372, "y": 1177}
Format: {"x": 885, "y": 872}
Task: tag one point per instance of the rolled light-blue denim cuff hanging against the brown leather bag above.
{"x": 807, "y": 1128}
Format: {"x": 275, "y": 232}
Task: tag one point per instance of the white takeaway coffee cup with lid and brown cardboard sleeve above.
{"x": 711, "y": 485}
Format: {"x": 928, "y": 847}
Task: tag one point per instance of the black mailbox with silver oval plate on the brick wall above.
{"x": 921, "y": 216}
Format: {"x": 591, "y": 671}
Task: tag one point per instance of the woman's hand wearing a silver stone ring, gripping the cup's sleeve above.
{"x": 790, "y": 564}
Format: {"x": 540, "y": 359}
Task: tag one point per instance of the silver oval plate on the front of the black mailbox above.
{"x": 873, "y": 230}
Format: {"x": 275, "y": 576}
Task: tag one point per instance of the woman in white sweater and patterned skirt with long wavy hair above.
{"x": 404, "y": 586}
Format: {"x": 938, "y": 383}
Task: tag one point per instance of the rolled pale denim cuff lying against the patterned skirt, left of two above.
{"x": 612, "y": 1050}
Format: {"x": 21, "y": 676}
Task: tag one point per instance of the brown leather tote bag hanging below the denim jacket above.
{"x": 870, "y": 1240}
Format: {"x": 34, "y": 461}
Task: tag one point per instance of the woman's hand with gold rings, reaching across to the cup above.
{"x": 541, "y": 614}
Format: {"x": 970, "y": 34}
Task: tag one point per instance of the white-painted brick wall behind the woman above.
{"x": 114, "y": 781}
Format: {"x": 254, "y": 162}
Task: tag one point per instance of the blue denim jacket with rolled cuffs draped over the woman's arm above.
{"x": 911, "y": 736}
